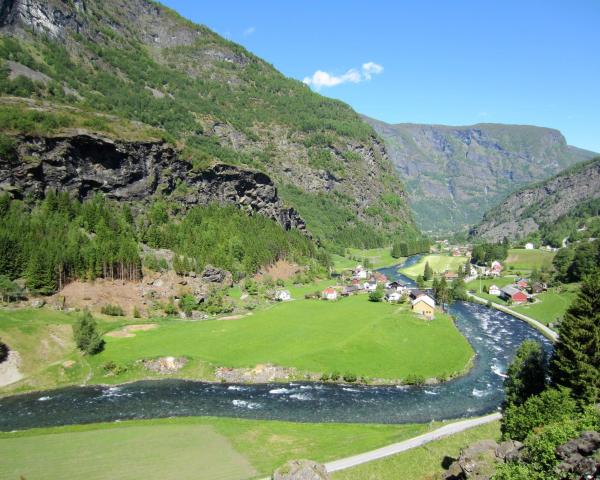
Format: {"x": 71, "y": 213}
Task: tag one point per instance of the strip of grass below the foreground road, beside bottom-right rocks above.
{"x": 423, "y": 463}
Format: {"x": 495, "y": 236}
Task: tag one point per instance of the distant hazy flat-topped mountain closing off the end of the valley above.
{"x": 454, "y": 174}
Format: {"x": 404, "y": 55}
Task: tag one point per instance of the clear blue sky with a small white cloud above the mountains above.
{"x": 449, "y": 62}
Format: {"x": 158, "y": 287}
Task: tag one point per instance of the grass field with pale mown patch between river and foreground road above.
{"x": 181, "y": 448}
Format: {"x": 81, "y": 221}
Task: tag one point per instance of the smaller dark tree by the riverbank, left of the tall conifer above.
{"x": 526, "y": 375}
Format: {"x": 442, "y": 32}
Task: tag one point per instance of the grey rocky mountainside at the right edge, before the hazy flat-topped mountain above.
{"x": 572, "y": 193}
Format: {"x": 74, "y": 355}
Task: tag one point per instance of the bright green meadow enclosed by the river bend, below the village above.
{"x": 350, "y": 335}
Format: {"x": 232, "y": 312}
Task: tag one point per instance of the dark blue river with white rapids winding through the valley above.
{"x": 494, "y": 336}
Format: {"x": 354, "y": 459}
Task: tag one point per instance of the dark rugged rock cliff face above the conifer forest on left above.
{"x": 83, "y": 164}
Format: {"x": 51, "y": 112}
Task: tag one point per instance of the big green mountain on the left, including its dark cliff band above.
{"x": 93, "y": 86}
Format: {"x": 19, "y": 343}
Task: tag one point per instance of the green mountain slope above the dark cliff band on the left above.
{"x": 211, "y": 99}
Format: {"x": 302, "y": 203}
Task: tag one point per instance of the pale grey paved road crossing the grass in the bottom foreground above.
{"x": 410, "y": 443}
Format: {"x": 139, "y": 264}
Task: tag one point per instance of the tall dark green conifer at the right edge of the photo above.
{"x": 576, "y": 362}
